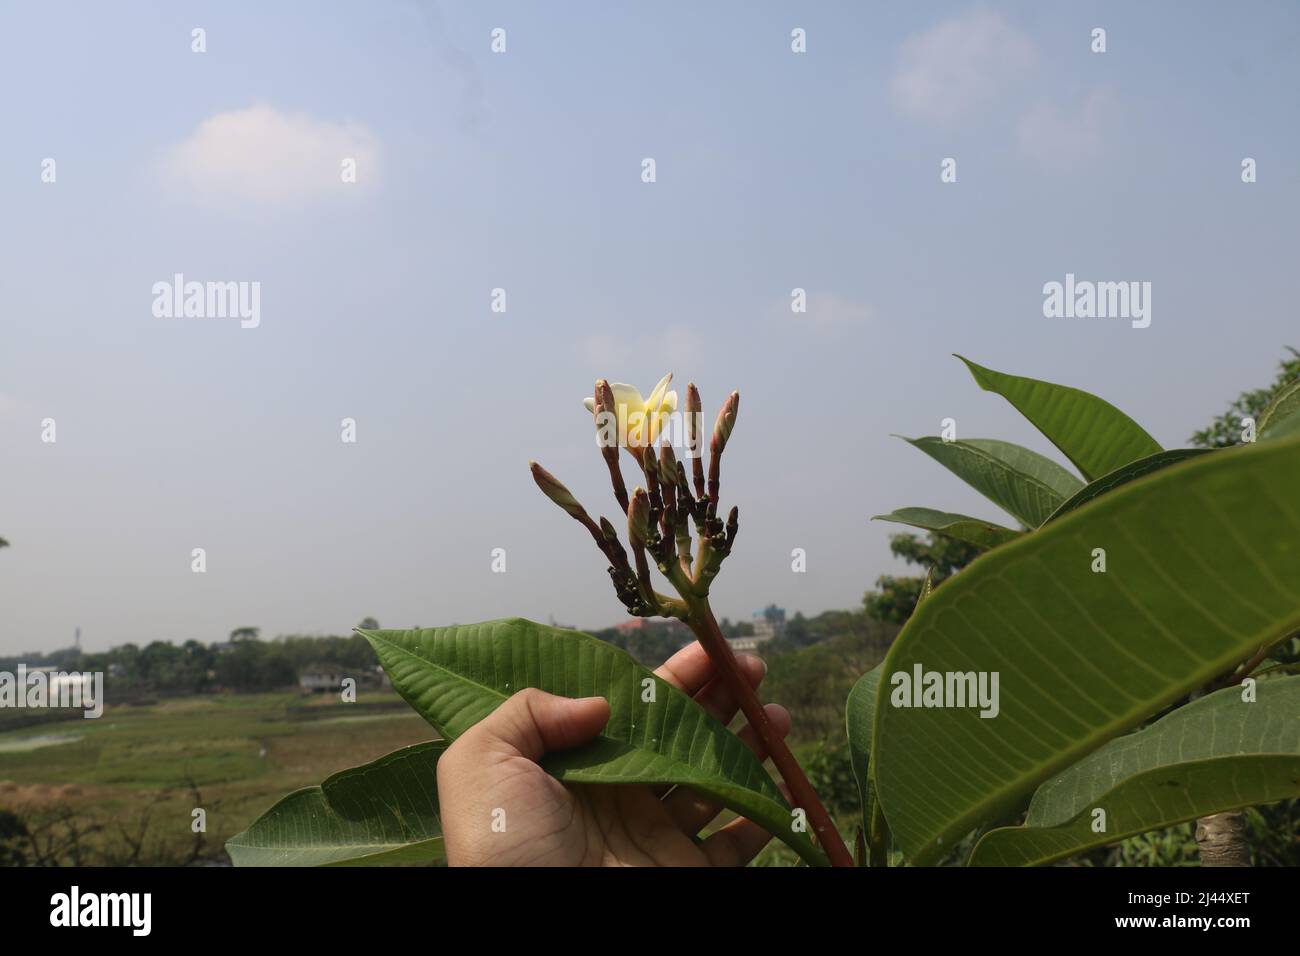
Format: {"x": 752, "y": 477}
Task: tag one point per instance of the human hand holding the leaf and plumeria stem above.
{"x": 493, "y": 768}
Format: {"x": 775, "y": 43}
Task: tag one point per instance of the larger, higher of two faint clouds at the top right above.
{"x": 960, "y": 66}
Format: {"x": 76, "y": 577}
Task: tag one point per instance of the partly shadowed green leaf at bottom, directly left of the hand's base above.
{"x": 382, "y": 812}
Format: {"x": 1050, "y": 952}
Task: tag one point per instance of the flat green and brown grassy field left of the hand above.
{"x": 128, "y": 782}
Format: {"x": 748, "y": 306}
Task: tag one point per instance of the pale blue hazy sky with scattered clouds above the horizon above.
{"x": 522, "y": 171}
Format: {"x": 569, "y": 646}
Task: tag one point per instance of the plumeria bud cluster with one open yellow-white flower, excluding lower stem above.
{"x": 661, "y": 513}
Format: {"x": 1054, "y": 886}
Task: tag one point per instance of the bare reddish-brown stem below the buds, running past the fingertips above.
{"x": 705, "y": 626}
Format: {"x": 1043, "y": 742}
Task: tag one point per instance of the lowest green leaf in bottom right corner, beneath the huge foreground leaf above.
{"x": 1217, "y": 754}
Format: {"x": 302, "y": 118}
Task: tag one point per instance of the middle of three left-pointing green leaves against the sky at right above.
{"x": 1024, "y": 483}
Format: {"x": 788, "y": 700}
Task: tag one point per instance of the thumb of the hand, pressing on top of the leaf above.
{"x": 534, "y": 723}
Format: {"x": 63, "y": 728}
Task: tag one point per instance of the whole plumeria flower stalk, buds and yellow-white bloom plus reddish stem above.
{"x": 660, "y": 517}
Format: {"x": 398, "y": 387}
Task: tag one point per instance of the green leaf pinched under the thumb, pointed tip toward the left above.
{"x": 454, "y": 677}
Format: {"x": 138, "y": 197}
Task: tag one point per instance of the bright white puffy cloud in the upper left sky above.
{"x": 263, "y": 155}
